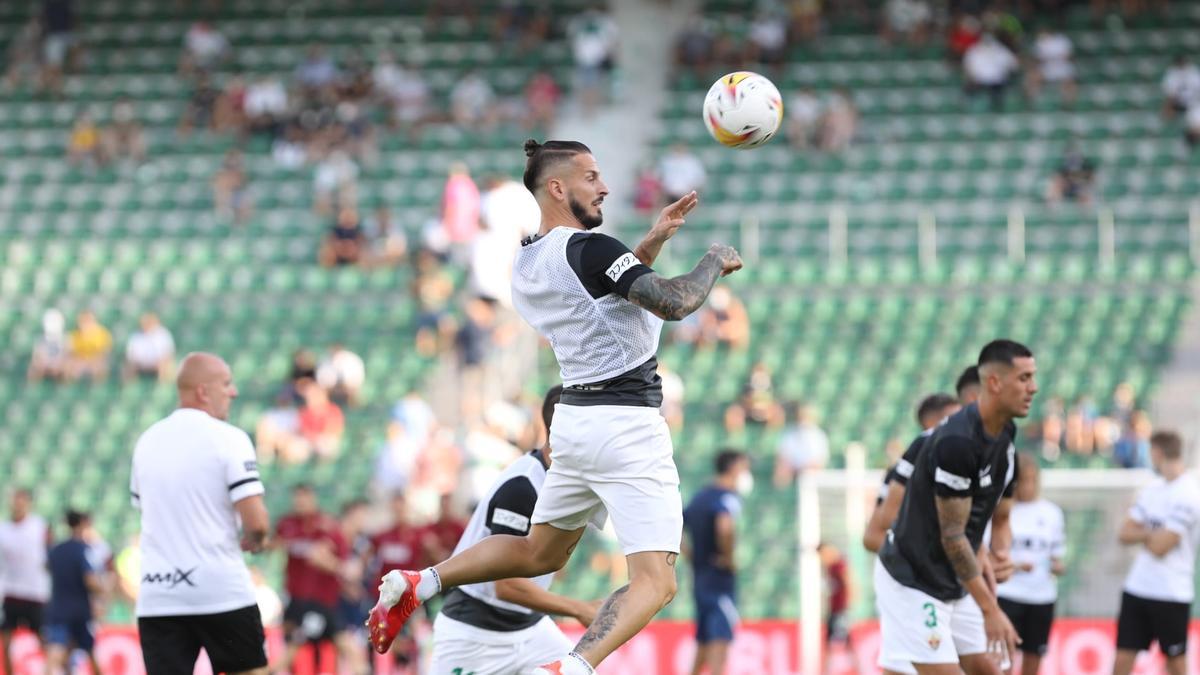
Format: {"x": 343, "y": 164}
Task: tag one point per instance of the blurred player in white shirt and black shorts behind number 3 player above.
{"x": 1039, "y": 549}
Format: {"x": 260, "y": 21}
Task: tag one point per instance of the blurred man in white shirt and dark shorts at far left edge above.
{"x": 25, "y": 581}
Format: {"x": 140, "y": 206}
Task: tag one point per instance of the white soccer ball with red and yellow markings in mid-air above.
{"x": 743, "y": 110}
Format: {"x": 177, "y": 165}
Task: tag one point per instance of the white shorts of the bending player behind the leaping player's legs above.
{"x": 460, "y": 648}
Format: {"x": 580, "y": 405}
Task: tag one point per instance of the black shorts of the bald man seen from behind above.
{"x": 235, "y": 642}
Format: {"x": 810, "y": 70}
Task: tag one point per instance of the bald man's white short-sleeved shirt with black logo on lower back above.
{"x": 189, "y": 471}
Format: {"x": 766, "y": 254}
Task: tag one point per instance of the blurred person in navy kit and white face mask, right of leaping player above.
{"x": 711, "y": 522}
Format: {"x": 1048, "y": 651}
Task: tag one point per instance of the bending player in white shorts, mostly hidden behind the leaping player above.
{"x": 505, "y": 628}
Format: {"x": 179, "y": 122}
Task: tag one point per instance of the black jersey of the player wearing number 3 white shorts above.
{"x": 958, "y": 461}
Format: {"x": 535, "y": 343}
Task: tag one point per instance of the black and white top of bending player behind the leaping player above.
{"x": 507, "y": 510}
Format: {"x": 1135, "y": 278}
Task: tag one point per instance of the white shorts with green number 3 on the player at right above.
{"x": 920, "y": 629}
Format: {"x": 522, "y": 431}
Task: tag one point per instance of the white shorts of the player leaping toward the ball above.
{"x": 614, "y": 462}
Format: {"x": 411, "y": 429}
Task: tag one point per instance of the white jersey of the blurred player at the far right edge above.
{"x": 1177, "y": 507}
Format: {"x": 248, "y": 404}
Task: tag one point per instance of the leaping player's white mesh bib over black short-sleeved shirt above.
{"x": 573, "y": 288}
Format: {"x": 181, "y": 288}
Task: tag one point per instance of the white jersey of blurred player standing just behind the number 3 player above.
{"x": 1039, "y": 537}
